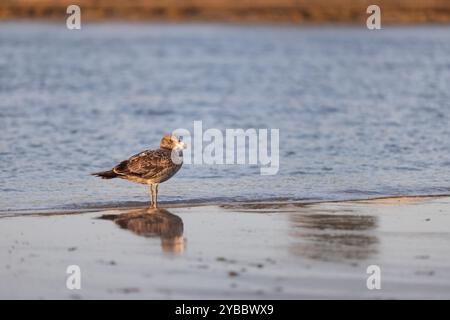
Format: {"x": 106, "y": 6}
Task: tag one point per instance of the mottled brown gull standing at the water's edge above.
{"x": 150, "y": 166}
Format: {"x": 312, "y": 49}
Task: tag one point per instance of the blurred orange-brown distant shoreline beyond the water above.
{"x": 259, "y": 11}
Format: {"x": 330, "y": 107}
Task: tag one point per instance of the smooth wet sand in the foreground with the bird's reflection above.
{"x": 255, "y": 251}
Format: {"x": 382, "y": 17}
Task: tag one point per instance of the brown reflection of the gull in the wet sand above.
{"x": 153, "y": 223}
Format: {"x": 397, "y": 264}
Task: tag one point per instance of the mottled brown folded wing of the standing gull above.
{"x": 146, "y": 164}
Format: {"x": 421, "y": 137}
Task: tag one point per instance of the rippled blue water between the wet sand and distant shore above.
{"x": 361, "y": 114}
